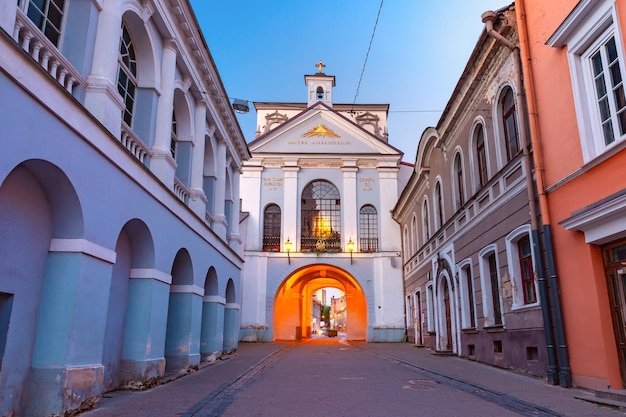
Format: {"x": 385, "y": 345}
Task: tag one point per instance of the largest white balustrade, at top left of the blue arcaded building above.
{"x": 45, "y": 53}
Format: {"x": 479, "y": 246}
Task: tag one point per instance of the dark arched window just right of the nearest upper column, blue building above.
{"x": 127, "y": 75}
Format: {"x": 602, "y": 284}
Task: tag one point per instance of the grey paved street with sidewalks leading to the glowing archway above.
{"x": 229, "y": 387}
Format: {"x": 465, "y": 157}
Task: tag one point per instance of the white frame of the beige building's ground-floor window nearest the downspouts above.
{"x": 512, "y": 256}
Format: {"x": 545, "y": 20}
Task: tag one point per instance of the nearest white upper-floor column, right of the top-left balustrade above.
{"x": 101, "y": 96}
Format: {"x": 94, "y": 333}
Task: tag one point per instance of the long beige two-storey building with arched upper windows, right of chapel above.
{"x": 467, "y": 218}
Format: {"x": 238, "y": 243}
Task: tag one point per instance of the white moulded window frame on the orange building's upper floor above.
{"x": 588, "y": 26}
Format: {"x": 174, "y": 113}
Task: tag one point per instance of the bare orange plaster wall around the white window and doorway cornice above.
{"x": 586, "y": 312}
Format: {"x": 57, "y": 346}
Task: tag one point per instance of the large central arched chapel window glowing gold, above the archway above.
{"x": 320, "y": 217}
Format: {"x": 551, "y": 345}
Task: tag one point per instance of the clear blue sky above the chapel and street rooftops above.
{"x": 263, "y": 49}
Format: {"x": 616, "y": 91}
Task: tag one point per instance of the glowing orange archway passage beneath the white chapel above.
{"x": 292, "y": 302}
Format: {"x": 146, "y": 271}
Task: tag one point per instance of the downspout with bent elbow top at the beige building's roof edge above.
{"x": 552, "y": 374}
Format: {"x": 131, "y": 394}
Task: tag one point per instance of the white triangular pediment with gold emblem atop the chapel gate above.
{"x": 320, "y": 130}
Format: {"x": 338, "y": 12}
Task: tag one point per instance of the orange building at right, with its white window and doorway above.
{"x": 573, "y": 63}
